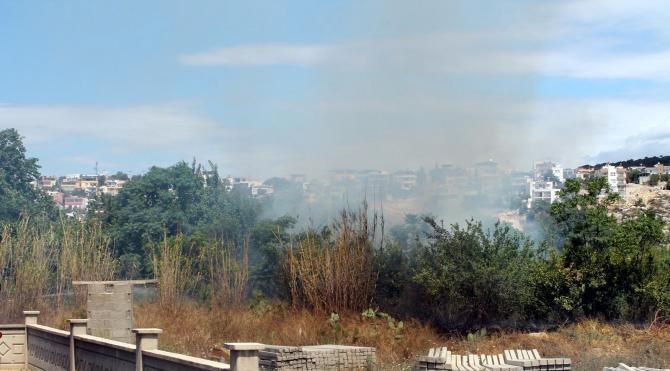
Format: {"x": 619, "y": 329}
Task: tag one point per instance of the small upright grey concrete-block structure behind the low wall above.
{"x": 110, "y": 311}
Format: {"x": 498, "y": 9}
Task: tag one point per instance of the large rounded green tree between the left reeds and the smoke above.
{"x": 178, "y": 200}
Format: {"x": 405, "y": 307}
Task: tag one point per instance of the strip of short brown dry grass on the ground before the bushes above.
{"x": 591, "y": 345}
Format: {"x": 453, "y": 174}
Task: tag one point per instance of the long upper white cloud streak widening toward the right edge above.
{"x": 577, "y": 39}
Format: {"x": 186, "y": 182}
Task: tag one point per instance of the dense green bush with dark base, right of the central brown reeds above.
{"x": 468, "y": 277}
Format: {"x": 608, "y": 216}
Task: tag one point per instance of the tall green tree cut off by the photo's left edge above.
{"x": 18, "y": 197}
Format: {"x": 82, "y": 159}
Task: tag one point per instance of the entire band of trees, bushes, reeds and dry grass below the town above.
{"x": 350, "y": 281}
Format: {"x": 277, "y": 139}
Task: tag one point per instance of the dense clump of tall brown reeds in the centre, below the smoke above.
{"x": 333, "y": 274}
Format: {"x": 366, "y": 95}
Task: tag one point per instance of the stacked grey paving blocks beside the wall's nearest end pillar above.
{"x": 317, "y": 357}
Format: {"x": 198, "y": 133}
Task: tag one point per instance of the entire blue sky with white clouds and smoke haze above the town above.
{"x": 265, "y": 88}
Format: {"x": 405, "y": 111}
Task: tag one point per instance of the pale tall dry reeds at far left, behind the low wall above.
{"x": 39, "y": 260}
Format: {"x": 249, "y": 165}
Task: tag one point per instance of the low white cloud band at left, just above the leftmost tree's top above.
{"x": 132, "y": 128}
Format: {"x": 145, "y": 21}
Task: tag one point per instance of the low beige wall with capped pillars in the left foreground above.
{"x": 36, "y": 347}
